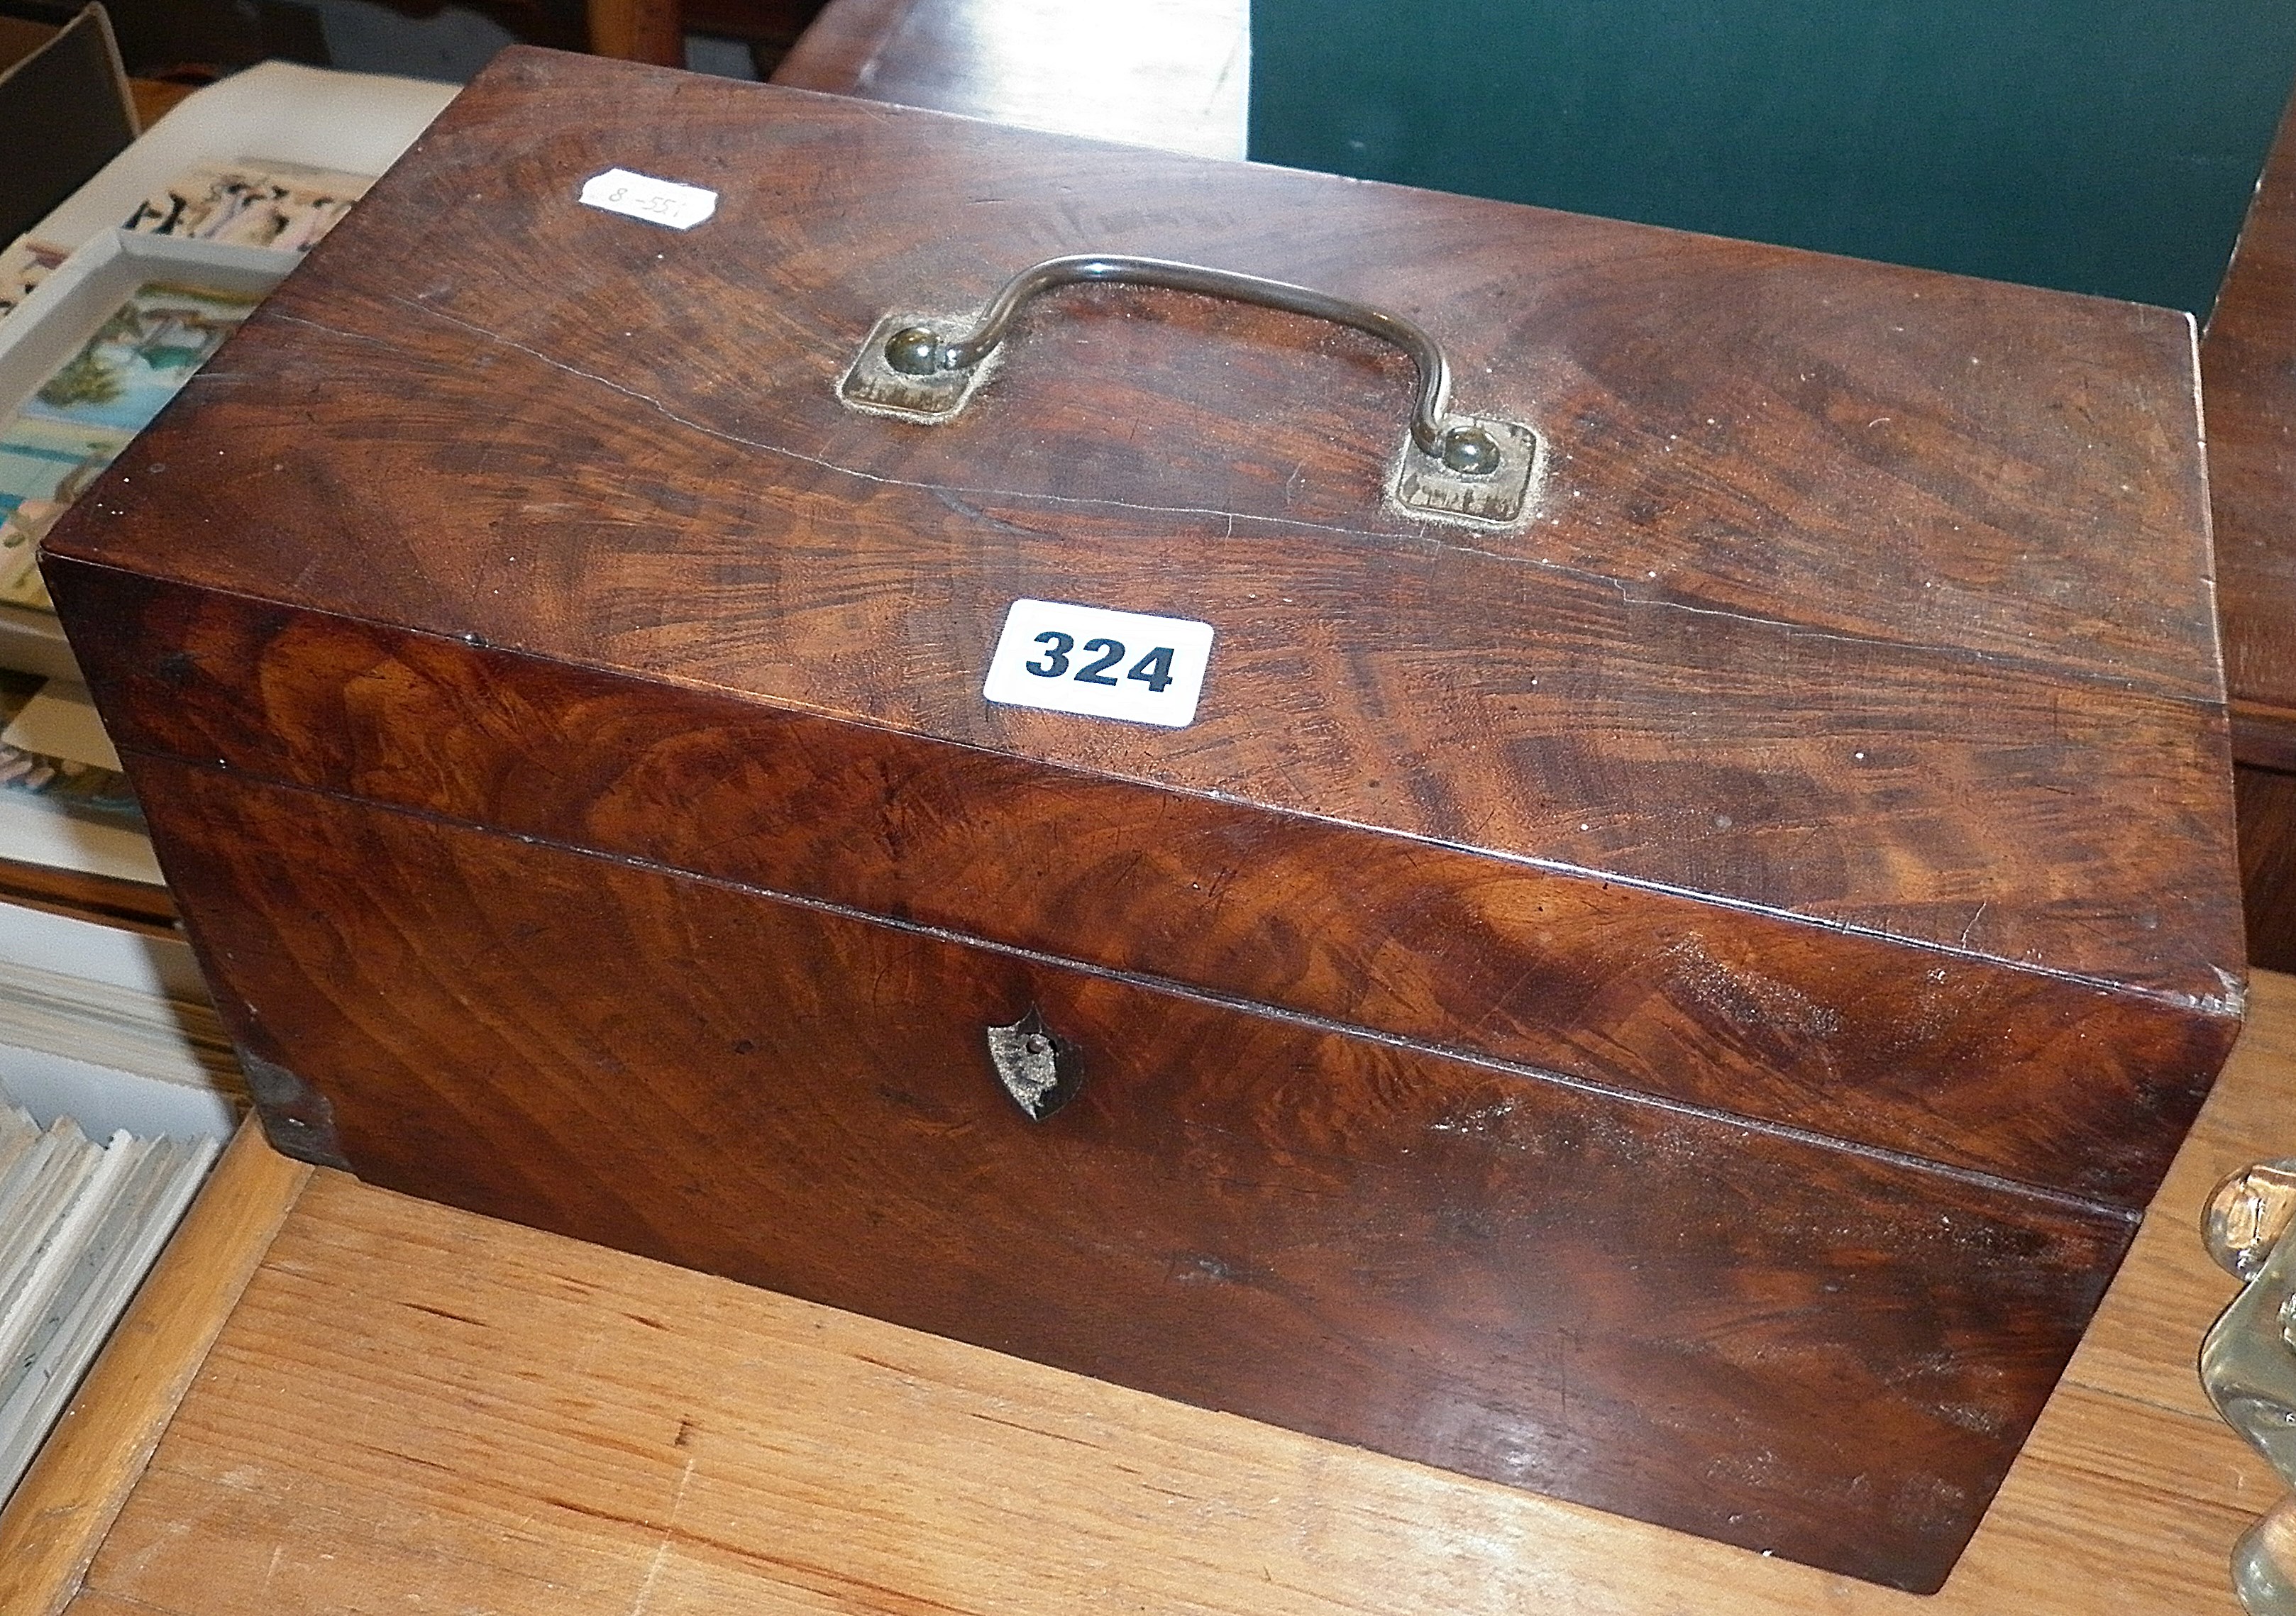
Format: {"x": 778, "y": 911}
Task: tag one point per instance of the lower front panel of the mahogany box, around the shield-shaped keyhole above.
{"x": 1432, "y": 1257}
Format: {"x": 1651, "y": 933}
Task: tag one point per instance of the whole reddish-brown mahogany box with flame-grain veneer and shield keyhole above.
{"x": 1675, "y": 1000}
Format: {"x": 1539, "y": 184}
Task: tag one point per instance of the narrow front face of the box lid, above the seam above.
{"x": 1657, "y": 993}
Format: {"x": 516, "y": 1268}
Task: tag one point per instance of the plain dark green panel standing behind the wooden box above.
{"x": 2095, "y": 146}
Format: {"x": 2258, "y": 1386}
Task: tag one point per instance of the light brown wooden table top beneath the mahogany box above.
{"x": 421, "y": 1411}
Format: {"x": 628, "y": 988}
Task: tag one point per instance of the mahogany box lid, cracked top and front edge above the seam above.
{"x": 1838, "y": 743}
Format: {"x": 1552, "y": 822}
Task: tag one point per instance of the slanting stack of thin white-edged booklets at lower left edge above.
{"x": 79, "y": 1229}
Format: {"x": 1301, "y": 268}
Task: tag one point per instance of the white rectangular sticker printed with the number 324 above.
{"x": 1106, "y": 665}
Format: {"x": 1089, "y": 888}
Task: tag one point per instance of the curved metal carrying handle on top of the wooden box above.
{"x": 1464, "y": 449}
